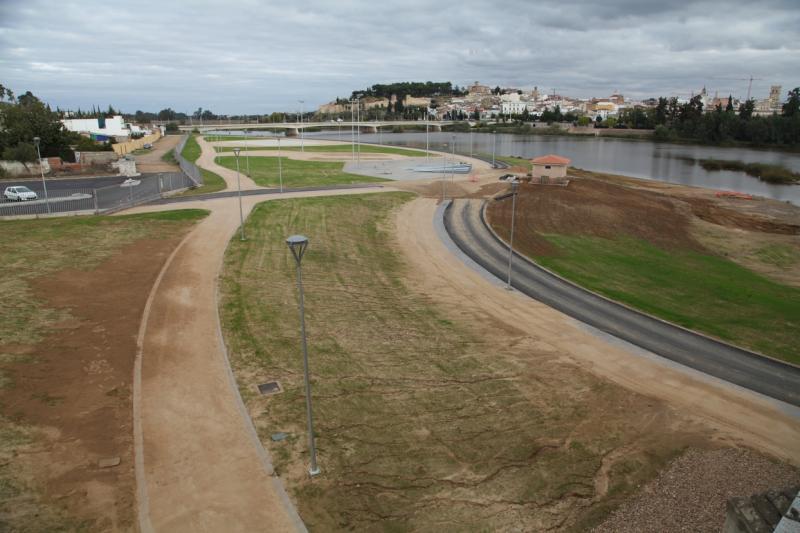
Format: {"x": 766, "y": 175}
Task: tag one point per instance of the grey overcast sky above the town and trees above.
{"x": 237, "y": 56}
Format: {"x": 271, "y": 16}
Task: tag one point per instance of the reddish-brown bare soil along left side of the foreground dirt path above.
{"x": 74, "y": 390}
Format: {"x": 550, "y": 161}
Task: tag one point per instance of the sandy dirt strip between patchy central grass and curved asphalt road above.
{"x": 737, "y": 416}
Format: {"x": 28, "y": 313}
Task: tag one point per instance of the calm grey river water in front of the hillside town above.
{"x": 674, "y": 163}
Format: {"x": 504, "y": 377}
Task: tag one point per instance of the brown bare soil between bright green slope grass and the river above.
{"x": 670, "y": 216}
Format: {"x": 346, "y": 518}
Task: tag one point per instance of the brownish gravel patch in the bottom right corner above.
{"x": 690, "y": 495}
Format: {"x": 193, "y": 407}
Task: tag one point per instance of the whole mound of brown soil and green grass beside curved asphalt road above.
{"x": 640, "y": 248}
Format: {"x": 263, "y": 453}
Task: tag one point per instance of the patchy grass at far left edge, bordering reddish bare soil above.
{"x": 44, "y": 248}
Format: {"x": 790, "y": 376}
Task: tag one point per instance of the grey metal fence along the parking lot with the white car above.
{"x": 108, "y": 199}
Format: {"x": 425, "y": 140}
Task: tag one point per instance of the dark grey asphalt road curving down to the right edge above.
{"x": 772, "y": 378}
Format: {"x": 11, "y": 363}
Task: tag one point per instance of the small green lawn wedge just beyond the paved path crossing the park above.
{"x": 264, "y": 171}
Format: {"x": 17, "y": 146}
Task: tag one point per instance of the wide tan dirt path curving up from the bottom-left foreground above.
{"x": 199, "y": 463}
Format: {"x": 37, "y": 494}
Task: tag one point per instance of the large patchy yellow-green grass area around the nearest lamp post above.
{"x": 420, "y": 424}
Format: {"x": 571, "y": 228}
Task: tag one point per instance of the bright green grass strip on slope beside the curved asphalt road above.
{"x": 698, "y": 291}
